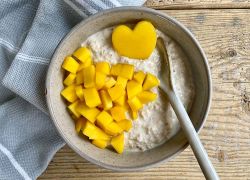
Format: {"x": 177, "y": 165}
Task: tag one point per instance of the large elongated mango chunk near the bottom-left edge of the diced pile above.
{"x": 94, "y": 132}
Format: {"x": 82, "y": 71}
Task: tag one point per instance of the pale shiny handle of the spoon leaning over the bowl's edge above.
{"x": 192, "y": 136}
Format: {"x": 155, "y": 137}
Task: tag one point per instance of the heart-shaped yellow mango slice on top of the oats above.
{"x": 138, "y": 43}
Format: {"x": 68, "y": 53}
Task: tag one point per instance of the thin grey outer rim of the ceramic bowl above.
{"x": 141, "y": 9}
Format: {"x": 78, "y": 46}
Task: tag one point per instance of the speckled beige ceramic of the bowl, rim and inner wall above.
{"x": 128, "y": 161}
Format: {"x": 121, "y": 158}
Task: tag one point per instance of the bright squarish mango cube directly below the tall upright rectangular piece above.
{"x": 92, "y": 98}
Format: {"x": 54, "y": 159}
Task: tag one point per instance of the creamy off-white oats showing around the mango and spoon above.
{"x": 157, "y": 121}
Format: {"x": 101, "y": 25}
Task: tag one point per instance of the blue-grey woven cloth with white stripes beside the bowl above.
{"x": 30, "y": 30}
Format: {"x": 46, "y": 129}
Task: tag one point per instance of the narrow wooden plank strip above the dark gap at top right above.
{"x": 198, "y": 4}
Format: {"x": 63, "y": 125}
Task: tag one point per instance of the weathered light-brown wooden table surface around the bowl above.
{"x": 223, "y": 29}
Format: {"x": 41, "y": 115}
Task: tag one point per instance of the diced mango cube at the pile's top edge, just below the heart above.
{"x": 123, "y": 70}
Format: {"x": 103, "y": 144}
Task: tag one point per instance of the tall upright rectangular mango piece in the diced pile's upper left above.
{"x": 89, "y": 76}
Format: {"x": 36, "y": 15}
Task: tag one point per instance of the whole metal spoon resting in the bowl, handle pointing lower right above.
{"x": 185, "y": 122}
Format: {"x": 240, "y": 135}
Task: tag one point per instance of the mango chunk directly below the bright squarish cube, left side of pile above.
{"x": 89, "y": 113}
